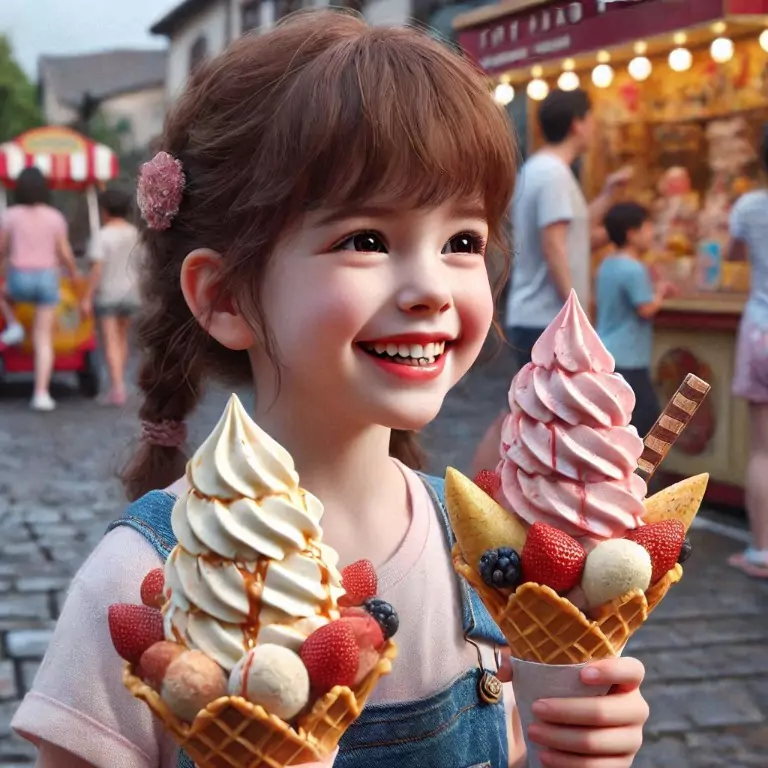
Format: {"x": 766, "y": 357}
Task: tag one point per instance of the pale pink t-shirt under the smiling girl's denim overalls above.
{"x": 78, "y": 701}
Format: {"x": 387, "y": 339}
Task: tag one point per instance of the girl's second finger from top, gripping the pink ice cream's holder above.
{"x": 597, "y": 712}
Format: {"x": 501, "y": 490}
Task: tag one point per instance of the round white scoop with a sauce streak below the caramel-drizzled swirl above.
{"x": 274, "y": 678}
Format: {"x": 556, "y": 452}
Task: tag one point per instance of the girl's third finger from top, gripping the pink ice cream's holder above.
{"x": 602, "y": 742}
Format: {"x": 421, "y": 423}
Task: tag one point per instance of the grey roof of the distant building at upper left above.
{"x": 102, "y": 74}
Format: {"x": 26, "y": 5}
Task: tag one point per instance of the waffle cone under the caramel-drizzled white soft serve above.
{"x": 233, "y": 733}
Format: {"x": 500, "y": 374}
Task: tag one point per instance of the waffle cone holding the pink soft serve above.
{"x": 541, "y": 626}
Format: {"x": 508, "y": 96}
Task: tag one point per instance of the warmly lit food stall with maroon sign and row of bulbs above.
{"x": 680, "y": 92}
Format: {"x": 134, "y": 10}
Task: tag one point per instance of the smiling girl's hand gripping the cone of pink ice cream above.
{"x": 598, "y": 732}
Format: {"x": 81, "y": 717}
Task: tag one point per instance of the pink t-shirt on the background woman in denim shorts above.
{"x": 33, "y": 231}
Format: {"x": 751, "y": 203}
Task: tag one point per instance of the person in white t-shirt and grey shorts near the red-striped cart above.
{"x": 113, "y": 289}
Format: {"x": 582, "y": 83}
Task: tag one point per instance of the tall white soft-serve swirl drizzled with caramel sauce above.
{"x": 249, "y": 567}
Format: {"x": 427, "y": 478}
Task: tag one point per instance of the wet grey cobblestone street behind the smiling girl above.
{"x": 705, "y": 648}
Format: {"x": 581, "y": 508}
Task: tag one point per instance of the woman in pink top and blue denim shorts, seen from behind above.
{"x": 33, "y": 242}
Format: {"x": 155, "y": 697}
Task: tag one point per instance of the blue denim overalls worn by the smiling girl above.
{"x": 451, "y": 729}
